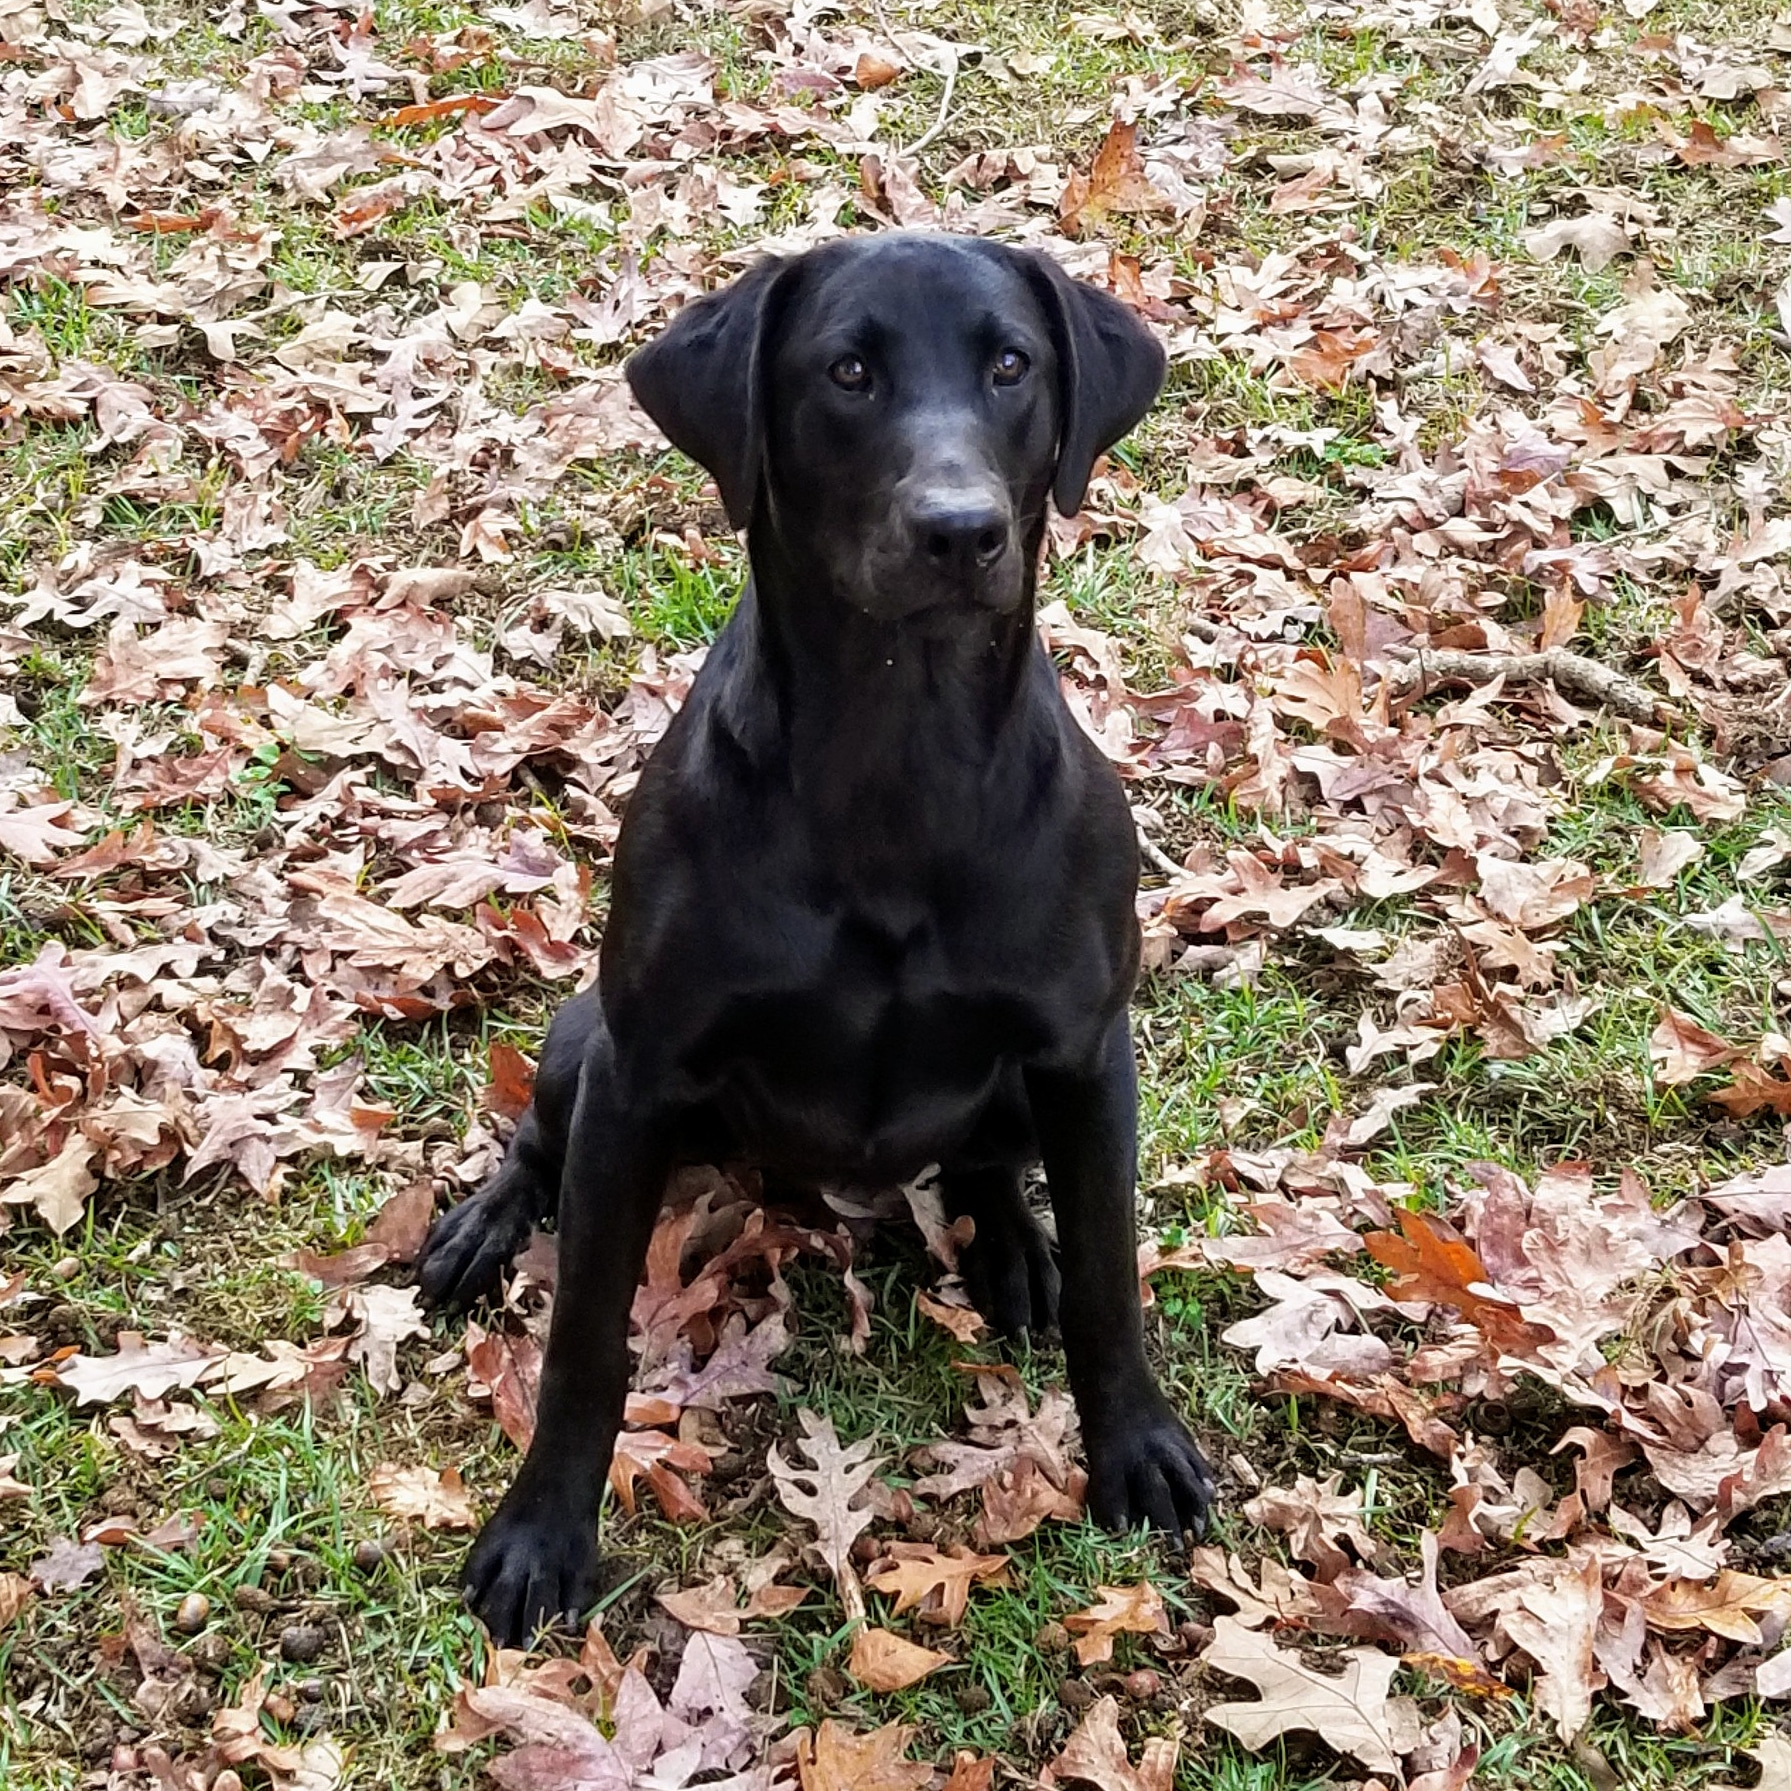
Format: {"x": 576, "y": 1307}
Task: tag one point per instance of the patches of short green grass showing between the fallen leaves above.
{"x": 282, "y": 1500}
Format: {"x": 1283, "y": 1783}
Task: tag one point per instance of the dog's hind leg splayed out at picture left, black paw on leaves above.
{"x": 472, "y": 1244}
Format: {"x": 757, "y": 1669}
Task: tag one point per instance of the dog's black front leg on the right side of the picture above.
{"x": 1144, "y": 1466}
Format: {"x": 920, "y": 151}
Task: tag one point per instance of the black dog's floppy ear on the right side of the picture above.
{"x": 1111, "y": 372}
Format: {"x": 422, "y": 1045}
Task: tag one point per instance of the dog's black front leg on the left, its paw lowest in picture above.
{"x": 536, "y": 1559}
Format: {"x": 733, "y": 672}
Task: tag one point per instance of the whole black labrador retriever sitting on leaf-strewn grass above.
{"x": 875, "y": 895}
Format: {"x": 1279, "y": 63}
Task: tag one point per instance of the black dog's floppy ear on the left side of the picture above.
{"x": 701, "y": 382}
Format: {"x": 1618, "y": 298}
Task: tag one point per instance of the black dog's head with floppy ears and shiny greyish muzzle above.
{"x": 896, "y": 409}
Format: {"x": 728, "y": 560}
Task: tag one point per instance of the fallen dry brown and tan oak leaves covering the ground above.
{"x": 1401, "y": 681}
